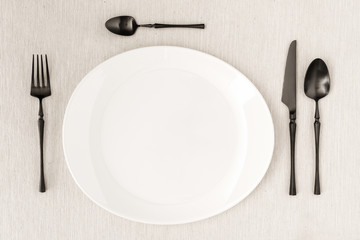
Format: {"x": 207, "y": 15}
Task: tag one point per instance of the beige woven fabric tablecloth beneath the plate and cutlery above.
{"x": 251, "y": 35}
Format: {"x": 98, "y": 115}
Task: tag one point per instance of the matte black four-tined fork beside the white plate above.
{"x": 40, "y": 89}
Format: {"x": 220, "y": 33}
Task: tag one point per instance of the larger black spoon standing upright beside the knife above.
{"x": 317, "y": 86}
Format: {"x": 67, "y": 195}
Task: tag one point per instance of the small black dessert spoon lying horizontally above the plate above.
{"x": 127, "y": 26}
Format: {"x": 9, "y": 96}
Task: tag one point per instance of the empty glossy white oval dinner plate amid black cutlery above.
{"x": 167, "y": 135}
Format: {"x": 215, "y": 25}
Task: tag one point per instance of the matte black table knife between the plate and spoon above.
{"x": 289, "y": 99}
